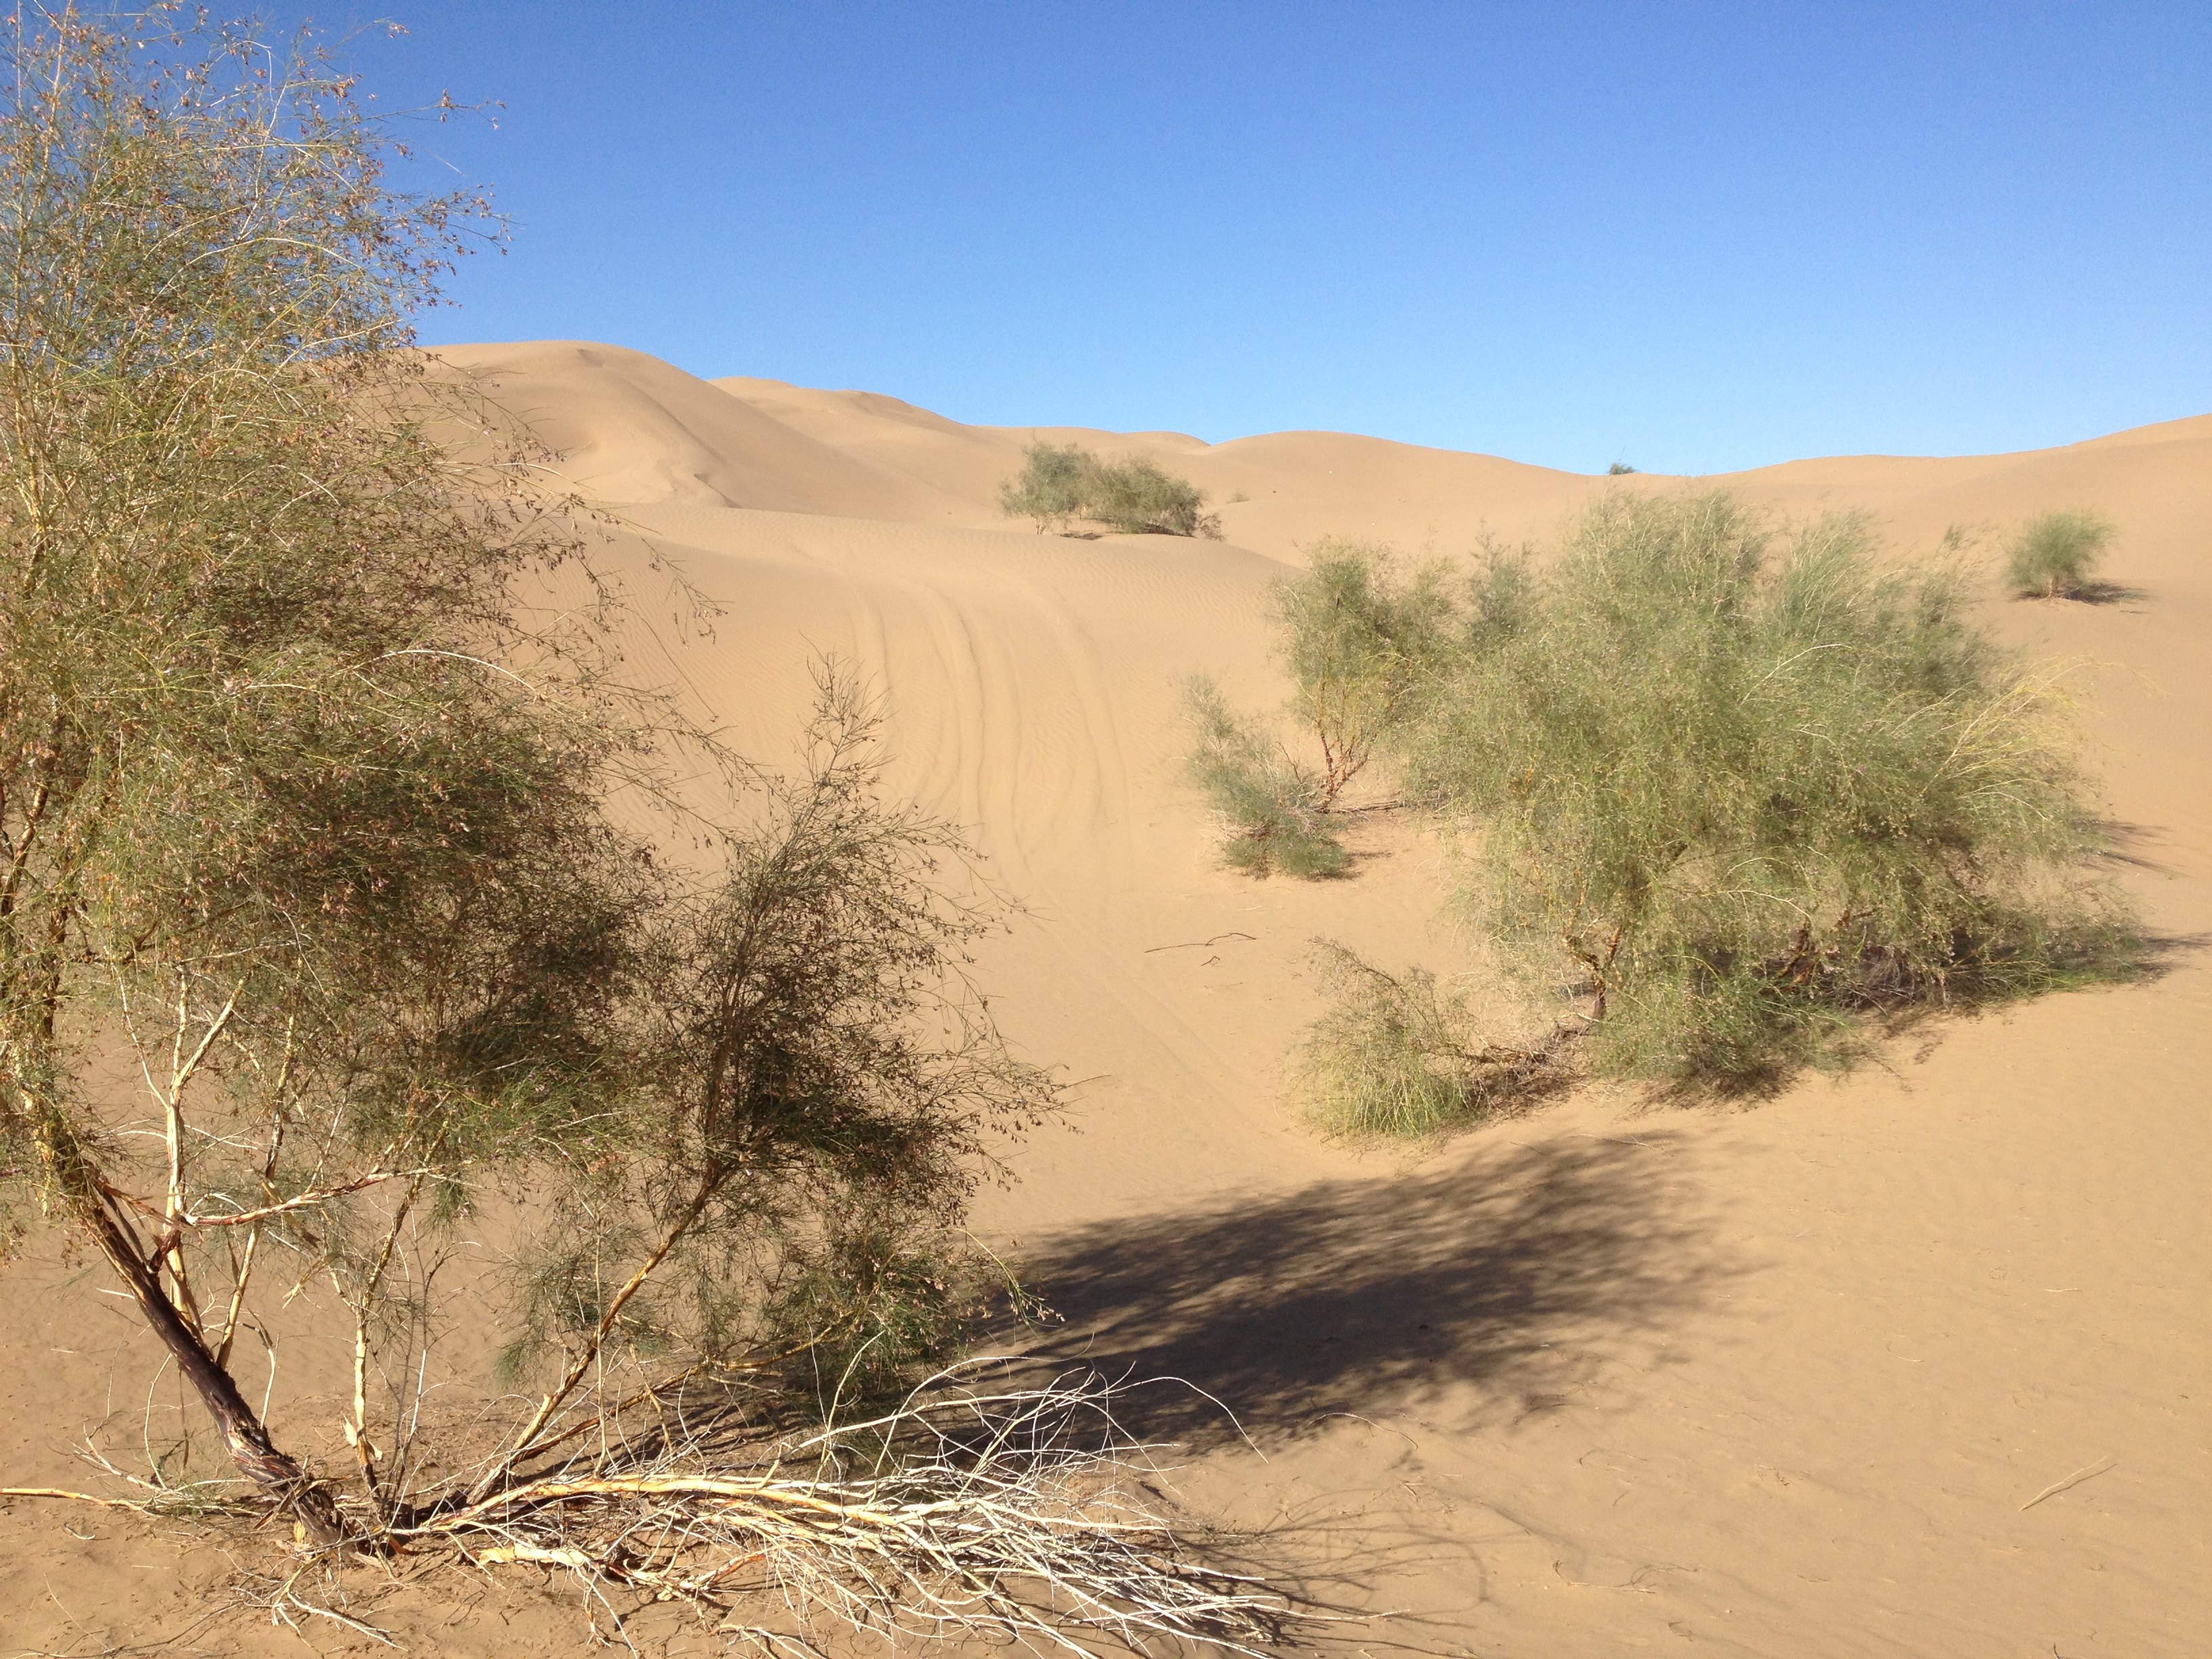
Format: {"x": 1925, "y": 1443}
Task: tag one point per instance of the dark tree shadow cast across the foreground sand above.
{"x": 1492, "y": 1291}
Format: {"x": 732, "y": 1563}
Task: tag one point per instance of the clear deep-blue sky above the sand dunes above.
{"x": 1693, "y": 238}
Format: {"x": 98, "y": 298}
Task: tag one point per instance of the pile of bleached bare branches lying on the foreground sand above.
{"x": 1021, "y": 1514}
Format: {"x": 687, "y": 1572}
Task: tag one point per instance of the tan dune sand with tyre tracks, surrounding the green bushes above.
{"x": 1605, "y": 1379}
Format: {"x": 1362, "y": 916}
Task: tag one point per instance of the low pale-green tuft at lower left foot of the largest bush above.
{"x": 1404, "y": 1054}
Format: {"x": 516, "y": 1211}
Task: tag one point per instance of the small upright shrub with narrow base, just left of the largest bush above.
{"x": 1359, "y": 645}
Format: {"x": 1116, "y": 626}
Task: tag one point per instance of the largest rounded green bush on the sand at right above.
{"x": 1753, "y": 789}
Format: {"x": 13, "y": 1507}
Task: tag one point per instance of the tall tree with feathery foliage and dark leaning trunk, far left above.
{"x": 269, "y": 813}
